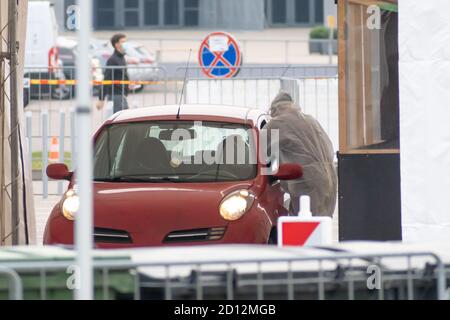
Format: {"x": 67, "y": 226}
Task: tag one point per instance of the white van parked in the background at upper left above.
{"x": 41, "y": 53}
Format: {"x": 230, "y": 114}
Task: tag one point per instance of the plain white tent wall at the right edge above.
{"x": 424, "y": 67}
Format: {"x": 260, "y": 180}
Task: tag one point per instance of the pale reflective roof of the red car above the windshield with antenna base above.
{"x": 207, "y": 110}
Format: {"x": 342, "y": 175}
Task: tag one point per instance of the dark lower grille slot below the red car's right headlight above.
{"x": 205, "y": 234}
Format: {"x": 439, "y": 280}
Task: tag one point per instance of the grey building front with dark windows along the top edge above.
{"x": 226, "y": 14}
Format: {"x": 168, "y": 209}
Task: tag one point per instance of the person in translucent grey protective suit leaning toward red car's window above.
{"x": 302, "y": 140}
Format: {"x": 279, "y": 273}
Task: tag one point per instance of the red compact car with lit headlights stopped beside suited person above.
{"x": 160, "y": 179}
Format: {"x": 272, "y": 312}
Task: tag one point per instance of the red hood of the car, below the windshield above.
{"x": 160, "y": 208}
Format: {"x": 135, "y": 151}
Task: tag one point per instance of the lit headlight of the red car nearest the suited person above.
{"x": 234, "y": 205}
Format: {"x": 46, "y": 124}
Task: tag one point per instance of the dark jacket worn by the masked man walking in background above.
{"x": 116, "y": 60}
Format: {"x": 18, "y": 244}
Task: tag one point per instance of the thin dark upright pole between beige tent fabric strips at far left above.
{"x": 13, "y": 44}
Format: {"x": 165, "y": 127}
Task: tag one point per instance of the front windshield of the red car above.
{"x": 175, "y": 151}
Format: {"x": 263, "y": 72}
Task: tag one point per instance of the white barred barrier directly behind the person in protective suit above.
{"x": 316, "y": 96}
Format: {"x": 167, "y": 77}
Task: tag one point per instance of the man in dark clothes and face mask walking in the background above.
{"x": 116, "y": 69}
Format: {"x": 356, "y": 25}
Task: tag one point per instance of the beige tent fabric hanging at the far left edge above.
{"x": 25, "y": 189}
